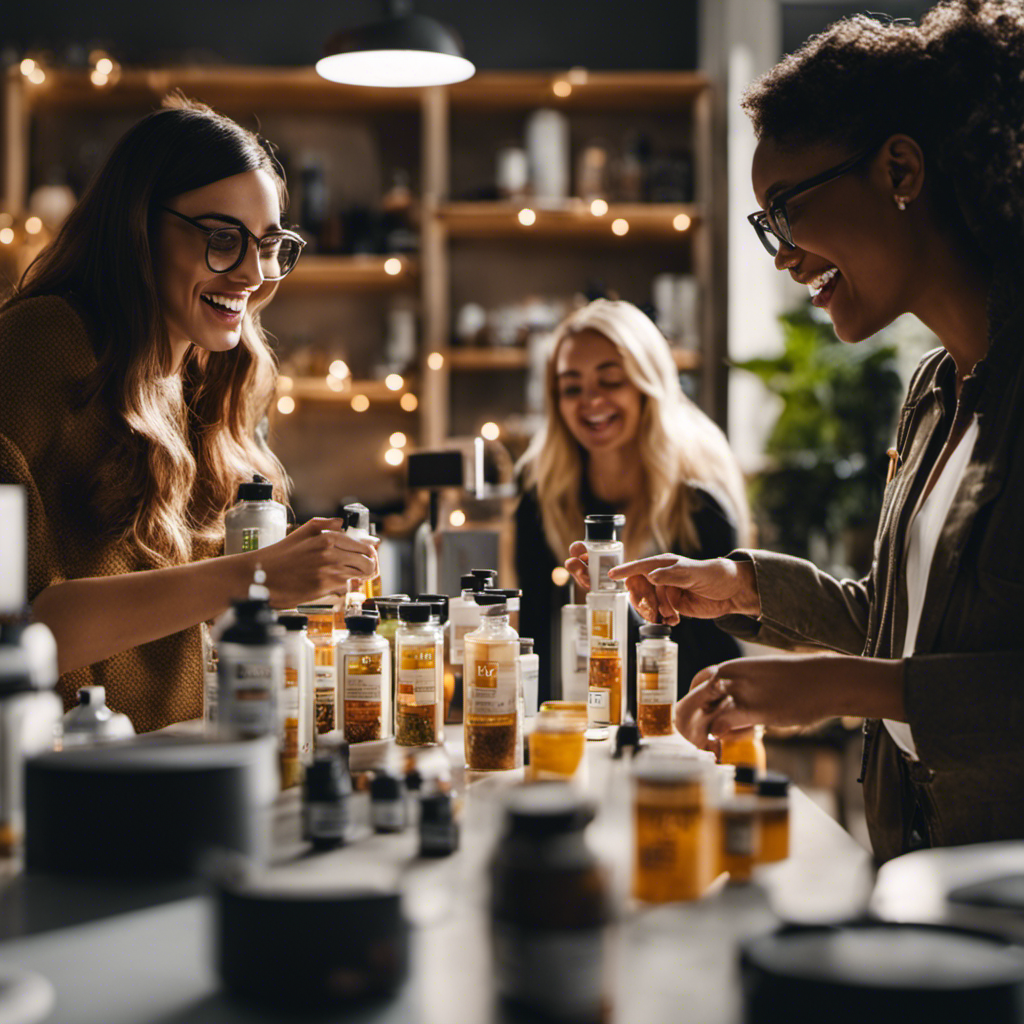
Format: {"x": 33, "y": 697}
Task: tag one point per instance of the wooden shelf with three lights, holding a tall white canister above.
{"x": 574, "y": 221}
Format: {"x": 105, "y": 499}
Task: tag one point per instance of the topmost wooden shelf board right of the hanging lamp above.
{"x": 590, "y": 91}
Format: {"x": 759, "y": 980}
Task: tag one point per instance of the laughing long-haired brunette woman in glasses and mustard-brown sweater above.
{"x": 135, "y": 374}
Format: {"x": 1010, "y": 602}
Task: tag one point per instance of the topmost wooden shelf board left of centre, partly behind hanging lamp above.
{"x": 225, "y": 89}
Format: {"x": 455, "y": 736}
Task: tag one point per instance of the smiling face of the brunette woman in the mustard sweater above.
{"x": 199, "y": 307}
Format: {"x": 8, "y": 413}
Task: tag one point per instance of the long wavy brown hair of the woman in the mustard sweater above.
{"x": 183, "y": 441}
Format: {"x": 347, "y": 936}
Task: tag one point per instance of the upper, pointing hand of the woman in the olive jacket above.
{"x": 665, "y": 587}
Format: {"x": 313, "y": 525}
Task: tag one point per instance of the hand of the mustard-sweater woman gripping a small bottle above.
{"x": 318, "y": 559}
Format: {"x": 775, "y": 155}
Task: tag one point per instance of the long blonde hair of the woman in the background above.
{"x": 679, "y": 445}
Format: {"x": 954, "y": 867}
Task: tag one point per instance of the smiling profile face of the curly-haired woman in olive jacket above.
{"x": 854, "y": 247}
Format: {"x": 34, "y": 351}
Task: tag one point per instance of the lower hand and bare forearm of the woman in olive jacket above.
{"x": 793, "y": 691}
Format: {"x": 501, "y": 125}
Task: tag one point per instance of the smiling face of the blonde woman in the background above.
{"x": 599, "y": 403}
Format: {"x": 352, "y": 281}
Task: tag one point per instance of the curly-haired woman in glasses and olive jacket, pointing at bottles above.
{"x": 890, "y": 172}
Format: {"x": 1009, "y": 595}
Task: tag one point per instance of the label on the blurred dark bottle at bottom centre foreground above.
{"x": 558, "y": 974}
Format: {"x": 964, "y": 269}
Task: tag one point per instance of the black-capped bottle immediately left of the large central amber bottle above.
{"x": 420, "y": 653}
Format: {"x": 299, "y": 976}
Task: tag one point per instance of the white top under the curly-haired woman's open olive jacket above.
{"x": 923, "y": 537}
